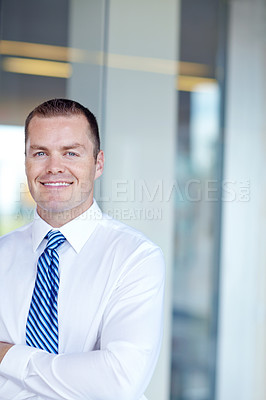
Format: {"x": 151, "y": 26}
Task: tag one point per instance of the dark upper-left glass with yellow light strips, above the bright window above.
{"x": 33, "y": 34}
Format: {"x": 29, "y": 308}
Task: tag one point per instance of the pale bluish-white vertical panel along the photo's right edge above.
{"x": 241, "y": 367}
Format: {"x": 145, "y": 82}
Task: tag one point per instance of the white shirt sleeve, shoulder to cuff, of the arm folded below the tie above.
{"x": 130, "y": 340}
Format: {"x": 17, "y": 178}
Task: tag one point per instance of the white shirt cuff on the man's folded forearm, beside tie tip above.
{"x": 15, "y": 363}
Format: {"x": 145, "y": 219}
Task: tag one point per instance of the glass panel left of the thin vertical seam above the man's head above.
{"x": 36, "y": 64}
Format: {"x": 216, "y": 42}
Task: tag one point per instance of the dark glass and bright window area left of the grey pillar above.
{"x": 34, "y": 67}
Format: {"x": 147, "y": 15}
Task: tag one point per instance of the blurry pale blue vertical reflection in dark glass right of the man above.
{"x": 194, "y": 260}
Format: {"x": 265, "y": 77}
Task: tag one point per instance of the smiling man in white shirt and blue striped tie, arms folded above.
{"x": 80, "y": 294}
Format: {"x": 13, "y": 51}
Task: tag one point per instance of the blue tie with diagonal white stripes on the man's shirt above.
{"x": 42, "y": 322}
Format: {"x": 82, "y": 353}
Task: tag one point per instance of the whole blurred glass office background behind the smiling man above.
{"x": 178, "y": 88}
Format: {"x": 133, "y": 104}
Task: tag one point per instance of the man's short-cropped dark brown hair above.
{"x": 66, "y": 108}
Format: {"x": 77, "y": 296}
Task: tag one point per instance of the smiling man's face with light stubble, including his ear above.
{"x": 60, "y": 165}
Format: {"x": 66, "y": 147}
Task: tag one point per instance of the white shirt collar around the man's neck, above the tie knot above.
{"x": 76, "y": 232}
